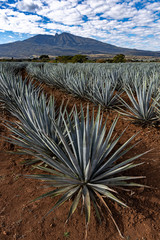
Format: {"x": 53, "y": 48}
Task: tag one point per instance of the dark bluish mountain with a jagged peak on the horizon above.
{"x": 64, "y": 44}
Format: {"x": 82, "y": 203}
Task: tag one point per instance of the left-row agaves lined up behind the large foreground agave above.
{"x": 35, "y": 113}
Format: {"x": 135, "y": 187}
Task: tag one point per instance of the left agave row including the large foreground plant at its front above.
{"x": 78, "y": 155}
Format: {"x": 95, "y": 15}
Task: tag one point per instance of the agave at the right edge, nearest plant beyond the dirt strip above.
{"x": 142, "y": 109}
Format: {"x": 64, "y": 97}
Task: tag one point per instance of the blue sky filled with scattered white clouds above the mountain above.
{"x": 130, "y": 23}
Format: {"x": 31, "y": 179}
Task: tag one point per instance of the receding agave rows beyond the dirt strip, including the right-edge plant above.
{"x": 107, "y": 85}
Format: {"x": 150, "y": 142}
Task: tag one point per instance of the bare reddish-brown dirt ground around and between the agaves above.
{"x": 20, "y": 219}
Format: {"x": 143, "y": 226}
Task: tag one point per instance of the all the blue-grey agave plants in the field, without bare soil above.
{"x": 77, "y": 153}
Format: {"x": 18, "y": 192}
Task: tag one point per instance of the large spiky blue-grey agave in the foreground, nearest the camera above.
{"x": 87, "y": 167}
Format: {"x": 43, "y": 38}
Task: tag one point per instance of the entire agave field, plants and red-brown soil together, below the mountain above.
{"x": 79, "y": 151}
